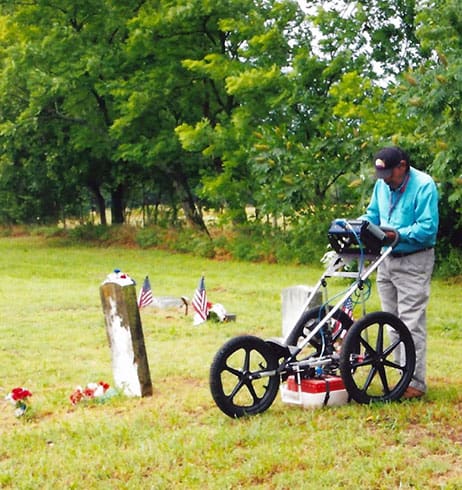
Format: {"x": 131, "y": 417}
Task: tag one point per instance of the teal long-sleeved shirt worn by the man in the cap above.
{"x": 411, "y": 209}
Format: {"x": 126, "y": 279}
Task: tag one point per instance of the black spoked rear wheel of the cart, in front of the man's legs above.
{"x": 382, "y": 367}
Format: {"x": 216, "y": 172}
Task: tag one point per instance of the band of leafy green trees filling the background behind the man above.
{"x": 138, "y": 105}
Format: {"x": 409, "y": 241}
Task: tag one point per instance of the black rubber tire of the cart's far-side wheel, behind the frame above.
{"x": 311, "y": 318}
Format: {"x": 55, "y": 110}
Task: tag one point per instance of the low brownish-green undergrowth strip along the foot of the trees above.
{"x": 250, "y": 242}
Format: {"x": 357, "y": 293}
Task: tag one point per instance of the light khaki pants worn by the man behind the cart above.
{"x": 404, "y": 288}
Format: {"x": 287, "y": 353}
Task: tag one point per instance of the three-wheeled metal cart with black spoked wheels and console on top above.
{"x": 374, "y": 356}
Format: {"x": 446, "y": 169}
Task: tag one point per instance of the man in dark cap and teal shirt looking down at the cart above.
{"x": 406, "y": 199}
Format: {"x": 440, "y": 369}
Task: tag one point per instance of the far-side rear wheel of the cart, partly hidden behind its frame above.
{"x": 331, "y": 336}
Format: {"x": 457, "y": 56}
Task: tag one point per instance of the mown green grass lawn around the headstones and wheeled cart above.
{"x": 53, "y": 338}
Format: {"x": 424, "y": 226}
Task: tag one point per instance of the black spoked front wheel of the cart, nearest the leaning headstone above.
{"x": 235, "y": 381}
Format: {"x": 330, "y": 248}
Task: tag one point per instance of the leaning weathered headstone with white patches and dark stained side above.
{"x": 125, "y": 335}
